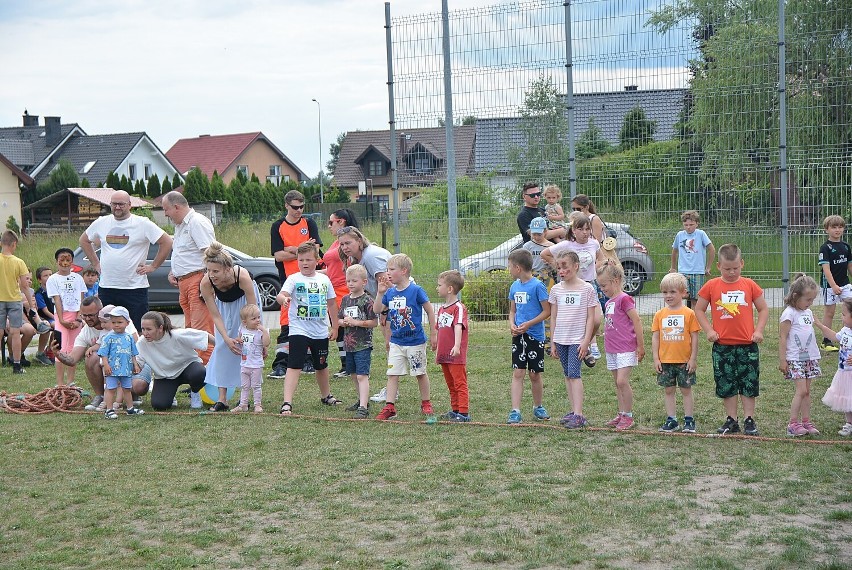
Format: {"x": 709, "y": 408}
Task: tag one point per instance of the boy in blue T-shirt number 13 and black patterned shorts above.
{"x": 528, "y": 308}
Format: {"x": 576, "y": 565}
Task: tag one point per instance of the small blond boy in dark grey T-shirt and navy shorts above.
{"x": 358, "y": 320}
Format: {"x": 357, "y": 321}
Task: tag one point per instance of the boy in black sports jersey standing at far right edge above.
{"x": 835, "y": 261}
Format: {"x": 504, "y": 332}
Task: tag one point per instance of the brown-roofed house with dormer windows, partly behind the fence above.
{"x": 365, "y": 161}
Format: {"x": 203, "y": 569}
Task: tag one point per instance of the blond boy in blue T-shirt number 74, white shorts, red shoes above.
{"x": 403, "y": 305}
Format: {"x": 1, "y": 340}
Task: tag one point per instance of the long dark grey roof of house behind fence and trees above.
{"x": 494, "y": 136}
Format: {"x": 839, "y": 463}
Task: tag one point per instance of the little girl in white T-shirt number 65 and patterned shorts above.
{"x": 798, "y": 353}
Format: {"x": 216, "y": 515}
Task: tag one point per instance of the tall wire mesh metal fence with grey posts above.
{"x": 650, "y": 107}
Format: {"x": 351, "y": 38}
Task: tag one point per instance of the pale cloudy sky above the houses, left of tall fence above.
{"x": 182, "y": 68}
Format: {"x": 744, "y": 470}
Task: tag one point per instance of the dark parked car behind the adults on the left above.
{"x": 162, "y": 294}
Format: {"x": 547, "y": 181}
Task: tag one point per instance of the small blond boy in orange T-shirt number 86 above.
{"x": 674, "y": 342}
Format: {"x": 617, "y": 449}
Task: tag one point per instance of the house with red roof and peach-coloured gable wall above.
{"x": 249, "y": 153}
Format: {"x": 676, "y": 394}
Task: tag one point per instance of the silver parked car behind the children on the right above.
{"x": 638, "y": 265}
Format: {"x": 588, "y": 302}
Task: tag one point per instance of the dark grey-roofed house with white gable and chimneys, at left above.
{"x": 37, "y": 151}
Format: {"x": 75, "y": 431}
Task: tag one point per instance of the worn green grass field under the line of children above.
{"x": 183, "y": 489}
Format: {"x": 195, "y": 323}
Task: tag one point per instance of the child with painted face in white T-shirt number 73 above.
{"x": 67, "y": 289}
